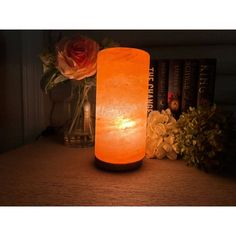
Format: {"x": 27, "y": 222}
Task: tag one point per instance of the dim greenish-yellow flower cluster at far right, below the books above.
{"x": 203, "y": 136}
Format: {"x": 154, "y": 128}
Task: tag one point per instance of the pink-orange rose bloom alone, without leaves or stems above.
{"x": 77, "y": 57}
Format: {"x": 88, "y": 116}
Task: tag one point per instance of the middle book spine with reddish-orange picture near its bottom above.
{"x": 175, "y": 86}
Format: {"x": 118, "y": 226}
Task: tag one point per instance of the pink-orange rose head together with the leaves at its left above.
{"x": 71, "y": 58}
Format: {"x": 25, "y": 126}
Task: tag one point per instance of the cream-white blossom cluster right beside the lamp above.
{"x": 161, "y": 130}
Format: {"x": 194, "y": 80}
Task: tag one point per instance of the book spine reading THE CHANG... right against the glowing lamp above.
{"x": 152, "y": 87}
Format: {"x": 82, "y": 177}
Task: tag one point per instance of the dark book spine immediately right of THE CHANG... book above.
{"x": 162, "y": 84}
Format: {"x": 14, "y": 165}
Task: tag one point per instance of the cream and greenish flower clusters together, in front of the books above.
{"x": 200, "y": 137}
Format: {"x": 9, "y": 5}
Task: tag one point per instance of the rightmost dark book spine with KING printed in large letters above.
{"x": 206, "y": 82}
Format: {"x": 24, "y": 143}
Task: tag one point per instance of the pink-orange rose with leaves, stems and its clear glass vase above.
{"x": 74, "y": 59}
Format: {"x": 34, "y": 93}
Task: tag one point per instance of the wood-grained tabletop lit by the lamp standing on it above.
{"x": 46, "y": 173}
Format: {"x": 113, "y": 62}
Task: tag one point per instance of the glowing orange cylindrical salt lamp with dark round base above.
{"x": 121, "y": 107}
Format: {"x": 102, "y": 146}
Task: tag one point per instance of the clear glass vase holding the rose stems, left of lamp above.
{"x": 79, "y": 130}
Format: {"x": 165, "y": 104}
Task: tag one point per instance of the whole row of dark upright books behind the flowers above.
{"x": 181, "y": 83}
